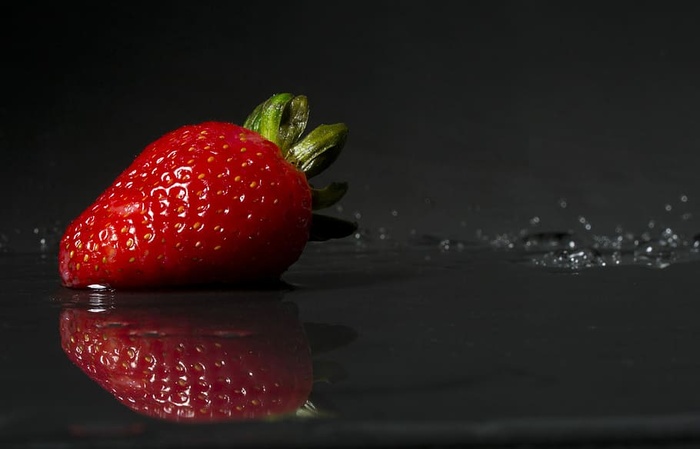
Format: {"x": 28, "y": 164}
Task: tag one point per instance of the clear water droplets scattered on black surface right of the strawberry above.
{"x": 584, "y": 245}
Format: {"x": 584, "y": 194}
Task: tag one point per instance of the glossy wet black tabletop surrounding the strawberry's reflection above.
{"x": 411, "y": 342}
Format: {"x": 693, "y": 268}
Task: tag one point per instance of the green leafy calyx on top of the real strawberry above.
{"x": 282, "y": 119}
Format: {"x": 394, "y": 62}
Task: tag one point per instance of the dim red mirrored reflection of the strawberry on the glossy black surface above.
{"x": 232, "y": 360}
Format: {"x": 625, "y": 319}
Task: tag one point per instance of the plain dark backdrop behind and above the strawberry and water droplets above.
{"x": 462, "y": 116}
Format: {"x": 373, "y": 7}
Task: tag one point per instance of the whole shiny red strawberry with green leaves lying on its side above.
{"x": 211, "y": 203}
